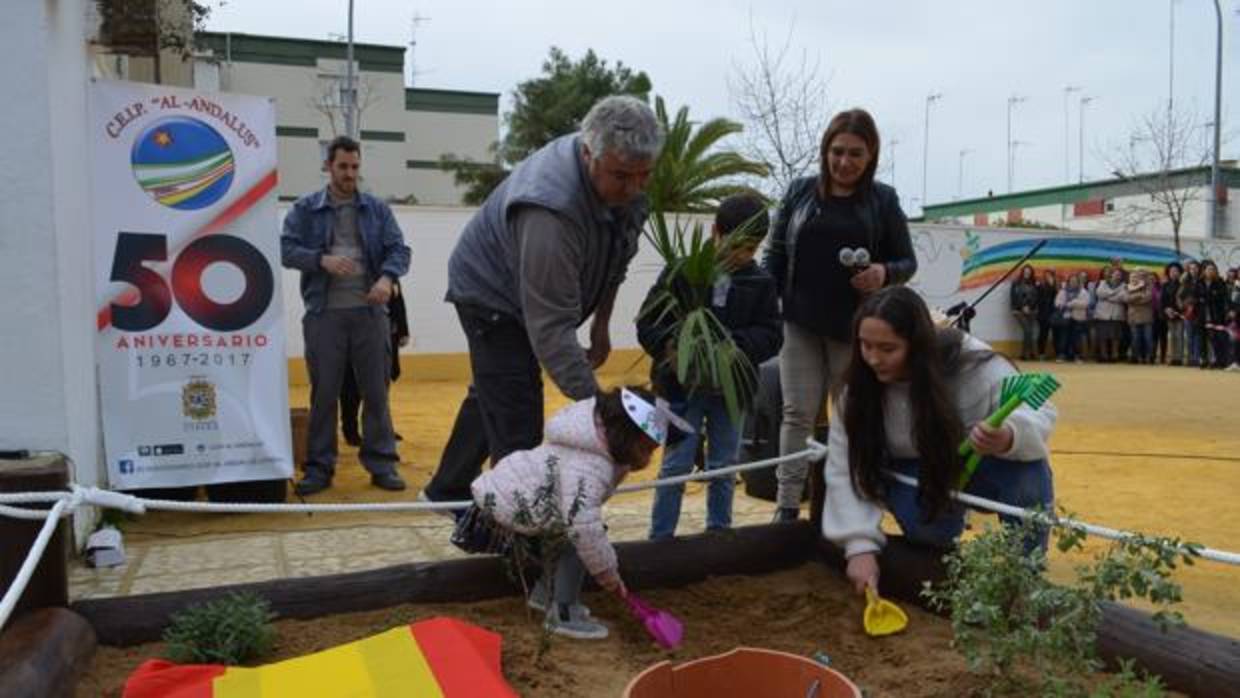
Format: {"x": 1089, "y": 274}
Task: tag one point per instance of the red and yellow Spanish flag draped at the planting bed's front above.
{"x": 433, "y": 659}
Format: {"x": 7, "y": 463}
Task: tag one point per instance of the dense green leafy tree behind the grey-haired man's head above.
{"x": 545, "y": 108}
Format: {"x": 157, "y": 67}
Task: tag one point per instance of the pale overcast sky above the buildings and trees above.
{"x": 882, "y": 55}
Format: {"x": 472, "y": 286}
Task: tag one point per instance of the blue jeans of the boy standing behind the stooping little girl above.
{"x": 724, "y": 442}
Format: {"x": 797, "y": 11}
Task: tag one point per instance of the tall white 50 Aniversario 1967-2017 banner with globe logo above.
{"x": 190, "y": 343}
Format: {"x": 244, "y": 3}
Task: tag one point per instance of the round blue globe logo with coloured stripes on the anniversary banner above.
{"x": 183, "y": 163}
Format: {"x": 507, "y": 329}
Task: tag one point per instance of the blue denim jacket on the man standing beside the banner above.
{"x": 308, "y": 236}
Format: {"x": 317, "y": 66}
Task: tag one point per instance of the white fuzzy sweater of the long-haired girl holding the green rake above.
{"x": 850, "y": 520}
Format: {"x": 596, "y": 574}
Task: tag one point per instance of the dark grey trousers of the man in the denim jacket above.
{"x": 349, "y": 340}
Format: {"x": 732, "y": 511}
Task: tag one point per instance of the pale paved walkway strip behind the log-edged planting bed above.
{"x": 218, "y": 560}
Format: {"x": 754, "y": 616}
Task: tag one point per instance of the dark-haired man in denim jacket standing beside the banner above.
{"x": 350, "y": 251}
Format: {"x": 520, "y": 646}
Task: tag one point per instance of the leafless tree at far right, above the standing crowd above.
{"x": 1162, "y": 146}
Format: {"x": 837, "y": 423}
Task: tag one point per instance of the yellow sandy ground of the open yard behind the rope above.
{"x": 1154, "y": 449}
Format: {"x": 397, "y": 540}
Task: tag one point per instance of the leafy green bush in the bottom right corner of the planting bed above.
{"x": 1029, "y": 635}
